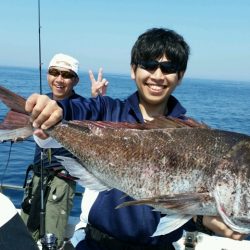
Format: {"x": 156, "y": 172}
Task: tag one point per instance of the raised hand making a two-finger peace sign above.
{"x": 99, "y": 86}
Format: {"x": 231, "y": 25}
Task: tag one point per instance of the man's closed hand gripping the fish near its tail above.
{"x": 44, "y": 113}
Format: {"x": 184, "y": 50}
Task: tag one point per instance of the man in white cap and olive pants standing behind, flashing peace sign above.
{"x": 62, "y": 77}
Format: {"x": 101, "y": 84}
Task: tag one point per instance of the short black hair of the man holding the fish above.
{"x": 157, "y": 42}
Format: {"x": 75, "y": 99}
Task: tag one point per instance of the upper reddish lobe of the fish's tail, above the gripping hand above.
{"x": 12, "y": 100}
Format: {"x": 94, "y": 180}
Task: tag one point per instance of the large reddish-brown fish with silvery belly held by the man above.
{"x": 174, "y": 166}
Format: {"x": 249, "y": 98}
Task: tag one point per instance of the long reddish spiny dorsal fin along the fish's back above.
{"x": 157, "y": 123}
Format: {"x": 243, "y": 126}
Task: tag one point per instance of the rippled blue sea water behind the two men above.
{"x": 220, "y": 104}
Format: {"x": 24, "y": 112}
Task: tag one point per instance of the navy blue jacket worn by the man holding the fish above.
{"x": 133, "y": 224}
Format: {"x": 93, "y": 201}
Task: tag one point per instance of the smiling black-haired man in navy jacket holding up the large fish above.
{"x": 158, "y": 62}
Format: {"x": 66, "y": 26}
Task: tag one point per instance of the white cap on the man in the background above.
{"x": 64, "y": 61}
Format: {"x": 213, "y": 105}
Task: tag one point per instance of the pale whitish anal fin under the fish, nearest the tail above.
{"x": 84, "y": 177}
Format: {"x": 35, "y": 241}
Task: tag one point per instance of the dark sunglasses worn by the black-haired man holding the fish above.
{"x": 166, "y": 67}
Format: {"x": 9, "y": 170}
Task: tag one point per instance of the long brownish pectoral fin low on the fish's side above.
{"x": 179, "y": 202}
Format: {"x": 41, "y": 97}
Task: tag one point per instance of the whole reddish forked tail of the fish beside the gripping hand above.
{"x": 16, "y": 125}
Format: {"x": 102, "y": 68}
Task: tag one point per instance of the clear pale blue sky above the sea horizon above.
{"x": 102, "y": 32}
